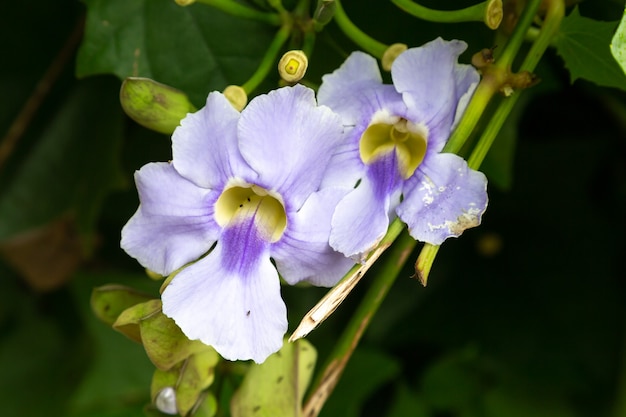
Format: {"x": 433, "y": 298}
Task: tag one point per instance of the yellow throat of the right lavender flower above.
{"x": 408, "y": 140}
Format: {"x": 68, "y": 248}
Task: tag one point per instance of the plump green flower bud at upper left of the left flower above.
{"x": 154, "y": 105}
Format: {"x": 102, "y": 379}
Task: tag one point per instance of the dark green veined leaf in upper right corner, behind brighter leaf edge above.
{"x": 584, "y": 45}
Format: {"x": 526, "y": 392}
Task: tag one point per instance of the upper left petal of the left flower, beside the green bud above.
{"x": 205, "y": 146}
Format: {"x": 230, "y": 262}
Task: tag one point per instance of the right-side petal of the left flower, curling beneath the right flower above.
{"x": 303, "y": 252}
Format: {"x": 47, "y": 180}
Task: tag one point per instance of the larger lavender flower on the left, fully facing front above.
{"x": 243, "y": 189}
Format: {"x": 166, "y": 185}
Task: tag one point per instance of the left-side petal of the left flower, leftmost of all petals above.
{"x": 174, "y": 223}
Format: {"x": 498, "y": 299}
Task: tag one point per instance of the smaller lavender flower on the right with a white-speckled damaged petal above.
{"x": 391, "y": 151}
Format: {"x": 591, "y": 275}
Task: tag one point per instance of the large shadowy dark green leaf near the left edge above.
{"x": 84, "y": 137}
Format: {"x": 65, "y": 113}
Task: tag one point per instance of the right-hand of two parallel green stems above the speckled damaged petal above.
{"x": 552, "y": 22}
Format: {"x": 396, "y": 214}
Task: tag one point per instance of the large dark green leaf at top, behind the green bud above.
{"x": 196, "y": 49}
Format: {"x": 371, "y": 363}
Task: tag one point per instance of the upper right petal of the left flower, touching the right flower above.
{"x": 289, "y": 141}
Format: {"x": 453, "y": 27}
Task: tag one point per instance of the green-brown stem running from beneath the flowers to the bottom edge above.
{"x": 326, "y": 380}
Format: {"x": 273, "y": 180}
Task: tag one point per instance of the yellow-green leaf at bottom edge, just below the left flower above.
{"x": 276, "y": 387}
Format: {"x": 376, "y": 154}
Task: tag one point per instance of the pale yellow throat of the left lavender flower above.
{"x": 238, "y": 203}
